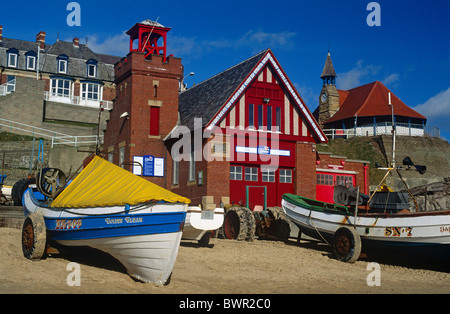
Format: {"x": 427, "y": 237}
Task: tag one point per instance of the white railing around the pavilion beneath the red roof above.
{"x": 384, "y": 128}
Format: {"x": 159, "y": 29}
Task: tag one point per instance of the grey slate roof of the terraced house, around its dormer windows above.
{"x": 78, "y": 56}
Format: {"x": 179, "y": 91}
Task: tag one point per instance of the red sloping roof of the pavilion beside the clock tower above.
{"x": 371, "y": 100}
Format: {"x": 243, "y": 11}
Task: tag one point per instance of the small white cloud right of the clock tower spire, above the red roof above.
{"x": 355, "y": 76}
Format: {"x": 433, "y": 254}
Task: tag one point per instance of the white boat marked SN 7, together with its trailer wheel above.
{"x": 347, "y": 231}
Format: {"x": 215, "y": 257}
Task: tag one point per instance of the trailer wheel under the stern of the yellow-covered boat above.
{"x": 34, "y": 237}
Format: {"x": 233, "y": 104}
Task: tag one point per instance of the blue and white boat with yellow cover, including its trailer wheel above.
{"x": 135, "y": 221}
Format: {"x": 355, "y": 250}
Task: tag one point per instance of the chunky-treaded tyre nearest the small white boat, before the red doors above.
{"x": 239, "y": 224}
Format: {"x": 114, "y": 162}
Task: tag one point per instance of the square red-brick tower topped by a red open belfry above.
{"x": 146, "y": 105}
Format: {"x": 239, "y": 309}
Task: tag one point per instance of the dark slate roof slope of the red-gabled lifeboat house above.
{"x": 206, "y": 98}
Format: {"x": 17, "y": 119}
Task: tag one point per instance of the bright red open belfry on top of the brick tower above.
{"x": 151, "y": 38}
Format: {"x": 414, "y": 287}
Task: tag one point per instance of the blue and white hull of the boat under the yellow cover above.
{"x": 145, "y": 239}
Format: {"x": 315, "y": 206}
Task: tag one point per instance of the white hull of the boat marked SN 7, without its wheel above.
{"x": 412, "y": 230}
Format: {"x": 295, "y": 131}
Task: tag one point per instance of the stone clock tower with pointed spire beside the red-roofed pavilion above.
{"x": 329, "y": 96}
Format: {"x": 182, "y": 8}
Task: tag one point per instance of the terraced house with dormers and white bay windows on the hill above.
{"x": 54, "y": 87}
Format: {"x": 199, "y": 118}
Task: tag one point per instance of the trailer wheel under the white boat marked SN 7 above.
{"x": 346, "y": 245}
